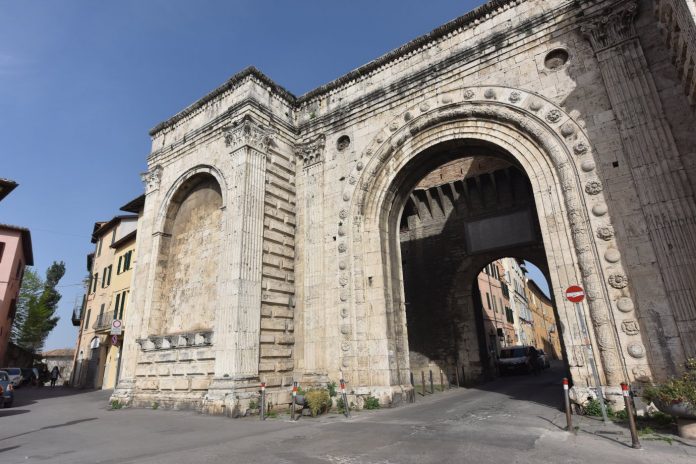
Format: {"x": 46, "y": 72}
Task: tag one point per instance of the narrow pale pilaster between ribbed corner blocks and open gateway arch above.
{"x": 315, "y": 324}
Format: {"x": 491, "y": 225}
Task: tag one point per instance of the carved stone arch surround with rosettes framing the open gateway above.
{"x": 554, "y": 152}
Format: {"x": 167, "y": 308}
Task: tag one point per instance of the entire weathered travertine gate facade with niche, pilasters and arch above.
{"x": 299, "y": 224}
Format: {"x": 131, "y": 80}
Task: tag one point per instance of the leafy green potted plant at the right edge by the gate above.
{"x": 677, "y": 397}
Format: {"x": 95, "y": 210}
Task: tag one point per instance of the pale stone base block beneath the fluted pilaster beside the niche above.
{"x": 230, "y": 396}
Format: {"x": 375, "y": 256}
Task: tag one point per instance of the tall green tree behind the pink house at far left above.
{"x": 38, "y": 301}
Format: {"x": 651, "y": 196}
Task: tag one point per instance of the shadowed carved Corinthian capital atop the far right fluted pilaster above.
{"x": 611, "y": 26}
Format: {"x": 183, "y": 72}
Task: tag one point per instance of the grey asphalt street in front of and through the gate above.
{"x": 511, "y": 420}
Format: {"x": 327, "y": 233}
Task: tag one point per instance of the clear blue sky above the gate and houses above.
{"x": 82, "y": 82}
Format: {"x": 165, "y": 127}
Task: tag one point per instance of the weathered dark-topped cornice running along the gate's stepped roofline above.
{"x": 482, "y": 13}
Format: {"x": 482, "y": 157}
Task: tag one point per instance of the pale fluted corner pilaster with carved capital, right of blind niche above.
{"x": 238, "y": 318}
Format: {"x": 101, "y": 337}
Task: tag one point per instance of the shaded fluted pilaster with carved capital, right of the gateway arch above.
{"x": 665, "y": 195}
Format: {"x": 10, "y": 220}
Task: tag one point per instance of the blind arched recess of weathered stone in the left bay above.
{"x": 189, "y": 258}
